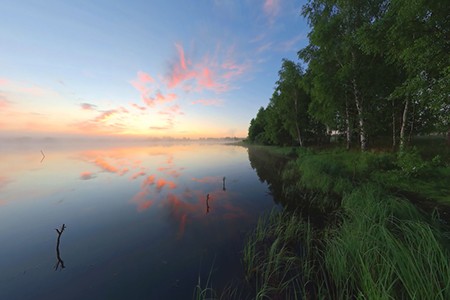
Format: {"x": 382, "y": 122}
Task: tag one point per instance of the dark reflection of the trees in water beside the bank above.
{"x": 269, "y": 168}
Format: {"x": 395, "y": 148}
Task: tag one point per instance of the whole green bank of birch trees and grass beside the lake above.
{"x": 365, "y": 189}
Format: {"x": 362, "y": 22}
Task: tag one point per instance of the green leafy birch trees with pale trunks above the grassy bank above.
{"x": 376, "y": 69}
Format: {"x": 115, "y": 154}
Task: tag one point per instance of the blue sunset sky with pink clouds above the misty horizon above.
{"x": 160, "y": 68}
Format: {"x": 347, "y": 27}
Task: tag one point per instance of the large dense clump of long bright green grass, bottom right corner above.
{"x": 386, "y": 250}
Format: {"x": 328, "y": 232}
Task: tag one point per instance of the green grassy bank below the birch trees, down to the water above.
{"x": 381, "y": 233}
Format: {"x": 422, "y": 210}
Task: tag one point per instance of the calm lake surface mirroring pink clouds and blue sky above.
{"x": 140, "y": 223}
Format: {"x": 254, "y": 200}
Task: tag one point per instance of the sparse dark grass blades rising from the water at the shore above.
{"x": 277, "y": 255}
